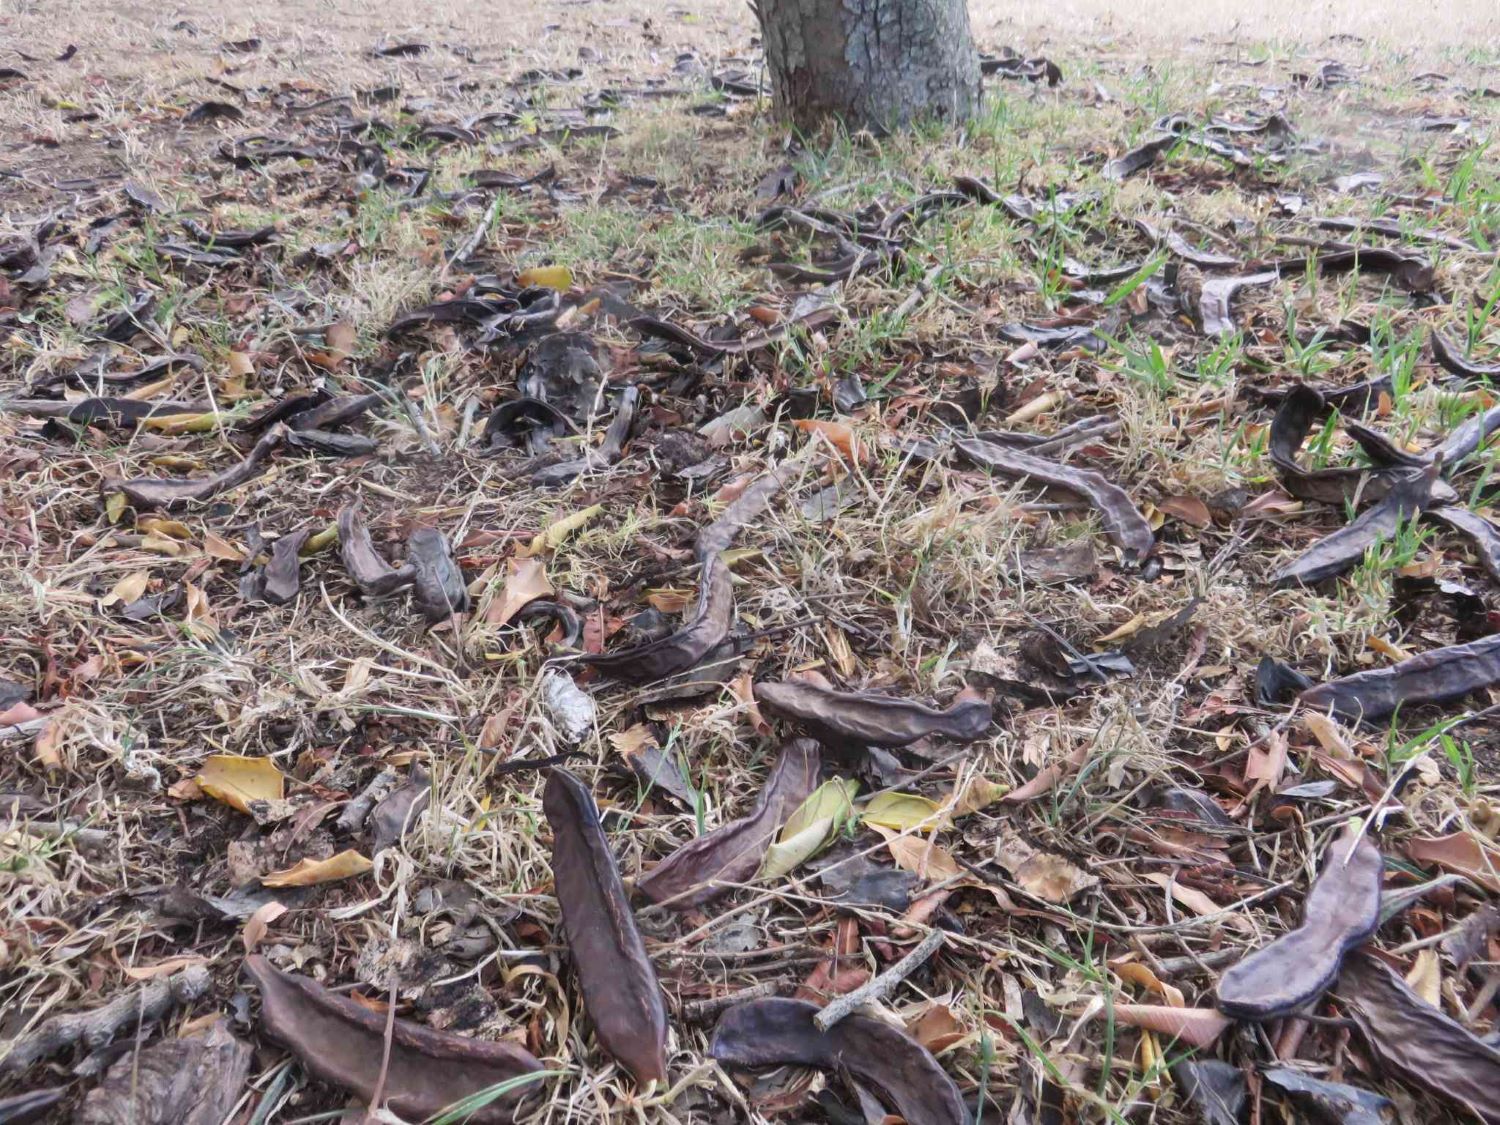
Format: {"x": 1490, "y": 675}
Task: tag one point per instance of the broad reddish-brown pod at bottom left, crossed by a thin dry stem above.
{"x": 344, "y": 1045}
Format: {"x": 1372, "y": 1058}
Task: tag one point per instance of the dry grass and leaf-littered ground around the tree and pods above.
{"x": 1178, "y": 815}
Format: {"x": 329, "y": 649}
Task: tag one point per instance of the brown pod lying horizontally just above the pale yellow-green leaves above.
{"x": 872, "y": 721}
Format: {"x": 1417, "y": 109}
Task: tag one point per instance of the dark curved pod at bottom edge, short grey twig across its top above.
{"x": 779, "y": 1033}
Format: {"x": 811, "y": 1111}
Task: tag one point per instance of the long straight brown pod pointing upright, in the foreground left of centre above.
{"x": 614, "y": 974}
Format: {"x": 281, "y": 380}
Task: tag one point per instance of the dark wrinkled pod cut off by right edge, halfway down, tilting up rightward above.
{"x": 1429, "y": 679}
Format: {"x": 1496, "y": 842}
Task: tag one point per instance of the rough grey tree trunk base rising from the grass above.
{"x": 871, "y": 64}
